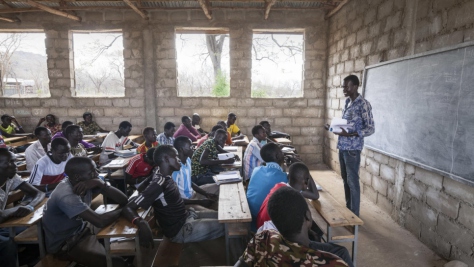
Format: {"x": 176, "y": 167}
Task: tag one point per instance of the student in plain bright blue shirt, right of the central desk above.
{"x": 264, "y": 178}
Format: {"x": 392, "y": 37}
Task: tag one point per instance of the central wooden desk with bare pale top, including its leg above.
{"x": 234, "y": 212}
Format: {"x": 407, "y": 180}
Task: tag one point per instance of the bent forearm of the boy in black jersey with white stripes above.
{"x": 144, "y": 230}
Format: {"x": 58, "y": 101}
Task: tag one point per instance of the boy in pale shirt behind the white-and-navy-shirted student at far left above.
{"x": 39, "y": 148}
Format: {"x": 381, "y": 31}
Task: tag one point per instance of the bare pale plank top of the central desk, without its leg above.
{"x": 233, "y": 205}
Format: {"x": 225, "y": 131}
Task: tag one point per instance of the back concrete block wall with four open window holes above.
{"x": 150, "y": 74}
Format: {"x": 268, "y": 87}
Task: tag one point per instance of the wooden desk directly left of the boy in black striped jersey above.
{"x": 121, "y": 228}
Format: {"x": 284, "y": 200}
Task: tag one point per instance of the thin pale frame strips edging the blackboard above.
{"x": 415, "y": 163}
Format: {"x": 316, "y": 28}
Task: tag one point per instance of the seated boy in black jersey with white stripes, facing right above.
{"x": 179, "y": 224}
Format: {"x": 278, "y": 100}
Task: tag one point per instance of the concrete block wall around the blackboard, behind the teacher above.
{"x": 436, "y": 209}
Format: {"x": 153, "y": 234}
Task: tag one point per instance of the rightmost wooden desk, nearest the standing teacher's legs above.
{"x": 338, "y": 216}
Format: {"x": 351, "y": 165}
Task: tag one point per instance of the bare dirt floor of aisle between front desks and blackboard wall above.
{"x": 382, "y": 242}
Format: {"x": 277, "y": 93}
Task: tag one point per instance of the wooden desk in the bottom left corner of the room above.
{"x": 29, "y": 221}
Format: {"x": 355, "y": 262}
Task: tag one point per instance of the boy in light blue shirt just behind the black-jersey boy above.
{"x": 191, "y": 193}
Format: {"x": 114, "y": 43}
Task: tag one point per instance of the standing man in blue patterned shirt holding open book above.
{"x": 358, "y": 112}
